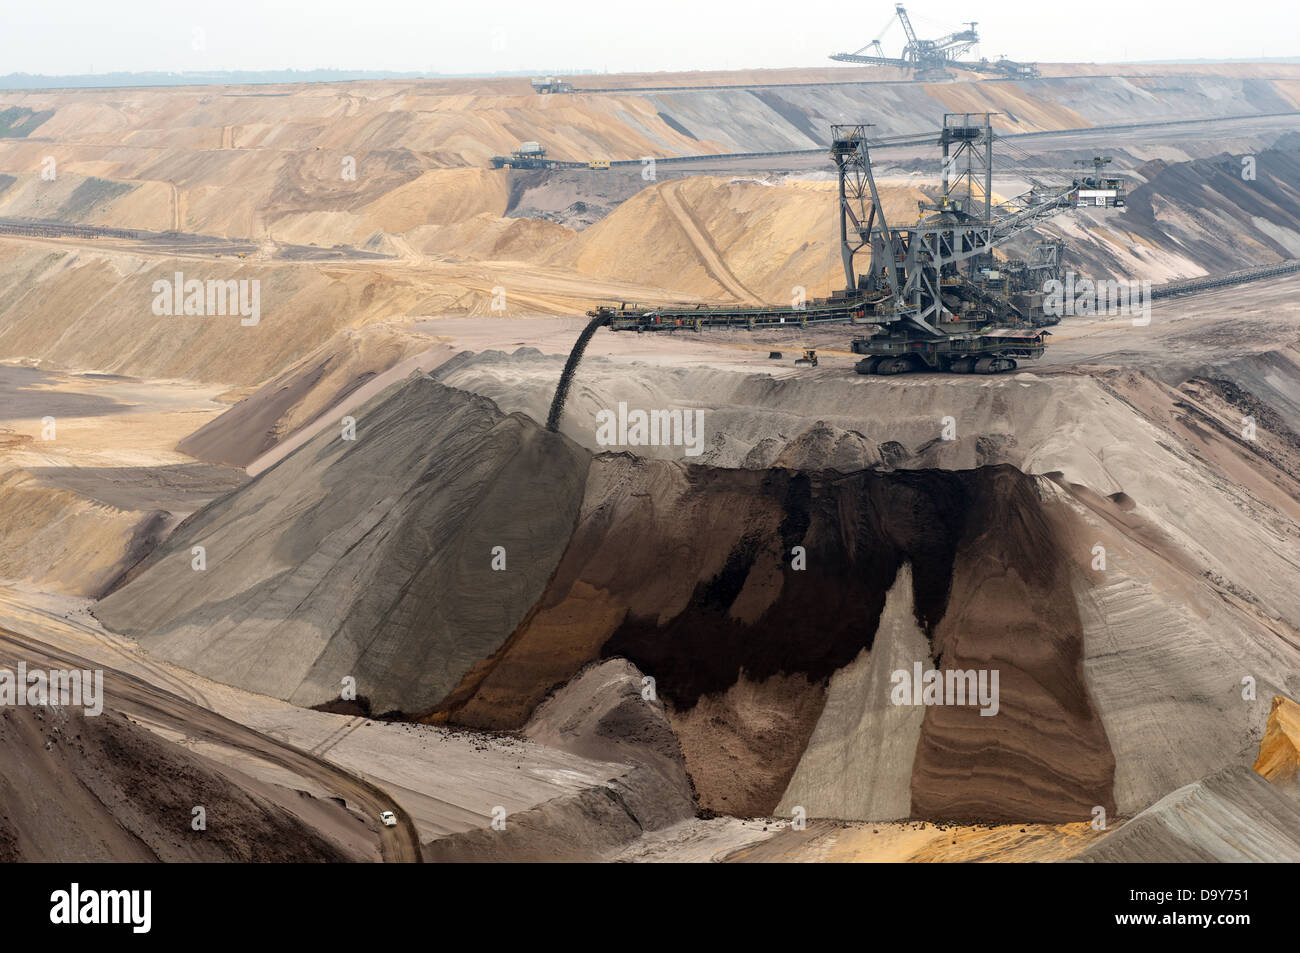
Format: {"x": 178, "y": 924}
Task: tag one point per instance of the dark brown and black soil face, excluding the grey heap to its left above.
{"x": 686, "y": 571}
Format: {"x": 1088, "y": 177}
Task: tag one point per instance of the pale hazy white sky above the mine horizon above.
{"x": 616, "y": 36}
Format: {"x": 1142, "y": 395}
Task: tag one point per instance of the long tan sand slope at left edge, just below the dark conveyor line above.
{"x": 94, "y": 310}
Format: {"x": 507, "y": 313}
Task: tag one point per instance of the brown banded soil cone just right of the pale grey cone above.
{"x": 1045, "y": 756}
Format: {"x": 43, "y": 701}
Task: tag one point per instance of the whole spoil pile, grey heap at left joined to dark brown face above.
{"x": 461, "y": 565}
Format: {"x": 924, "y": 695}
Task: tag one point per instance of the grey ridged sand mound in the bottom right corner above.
{"x": 1232, "y": 817}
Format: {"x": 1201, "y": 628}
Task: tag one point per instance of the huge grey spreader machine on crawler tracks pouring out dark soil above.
{"x": 934, "y": 296}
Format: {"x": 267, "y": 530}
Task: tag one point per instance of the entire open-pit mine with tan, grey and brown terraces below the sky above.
{"x": 895, "y": 461}
